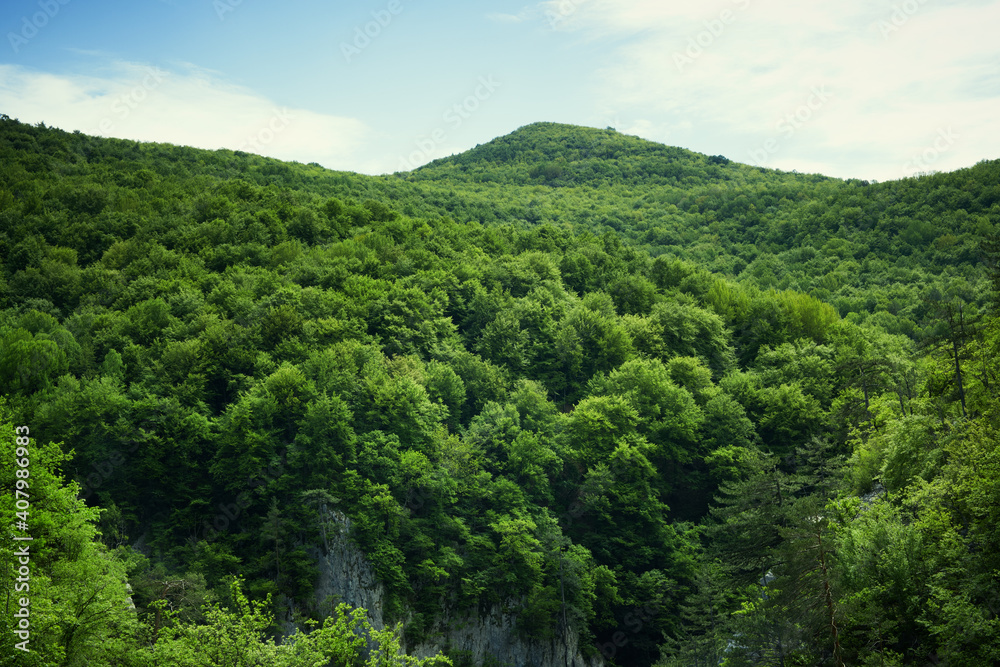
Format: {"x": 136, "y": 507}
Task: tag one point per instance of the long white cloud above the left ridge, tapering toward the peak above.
{"x": 185, "y": 105}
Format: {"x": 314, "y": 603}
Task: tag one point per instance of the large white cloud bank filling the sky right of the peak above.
{"x": 732, "y": 75}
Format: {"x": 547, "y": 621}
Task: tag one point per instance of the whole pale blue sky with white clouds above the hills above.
{"x": 871, "y": 89}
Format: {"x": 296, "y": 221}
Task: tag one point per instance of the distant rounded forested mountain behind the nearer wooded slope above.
{"x": 864, "y": 247}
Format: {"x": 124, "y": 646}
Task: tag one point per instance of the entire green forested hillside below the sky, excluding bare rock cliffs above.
{"x": 692, "y": 410}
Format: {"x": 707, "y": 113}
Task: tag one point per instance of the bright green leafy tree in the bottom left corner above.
{"x": 75, "y": 589}
